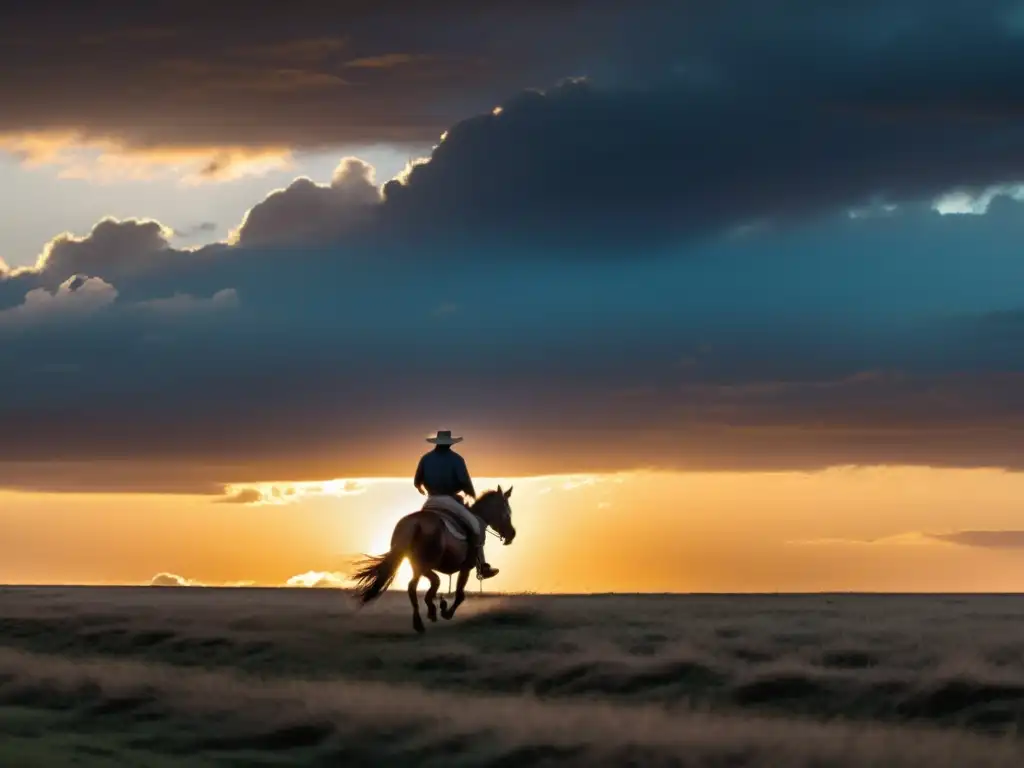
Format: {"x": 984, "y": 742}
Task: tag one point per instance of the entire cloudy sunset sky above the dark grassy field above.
{"x": 731, "y": 292}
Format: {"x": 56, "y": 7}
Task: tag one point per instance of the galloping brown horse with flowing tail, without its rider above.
{"x": 423, "y": 538}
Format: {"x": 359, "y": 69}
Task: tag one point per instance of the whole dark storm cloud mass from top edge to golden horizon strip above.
{"x": 721, "y": 254}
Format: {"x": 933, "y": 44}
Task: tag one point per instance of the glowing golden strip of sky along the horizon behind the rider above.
{"x": 884, "y": 529}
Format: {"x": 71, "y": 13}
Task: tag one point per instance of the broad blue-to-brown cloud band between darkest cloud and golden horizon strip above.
{"x": 850, "y": 342}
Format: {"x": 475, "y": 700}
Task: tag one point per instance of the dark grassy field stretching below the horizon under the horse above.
{"x": 248, "y": 677}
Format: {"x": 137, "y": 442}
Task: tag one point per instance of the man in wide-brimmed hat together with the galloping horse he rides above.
{"x": 446, "y": 535}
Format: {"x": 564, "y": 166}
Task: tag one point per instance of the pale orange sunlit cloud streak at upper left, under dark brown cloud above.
{"x": 105, "y": 160}
